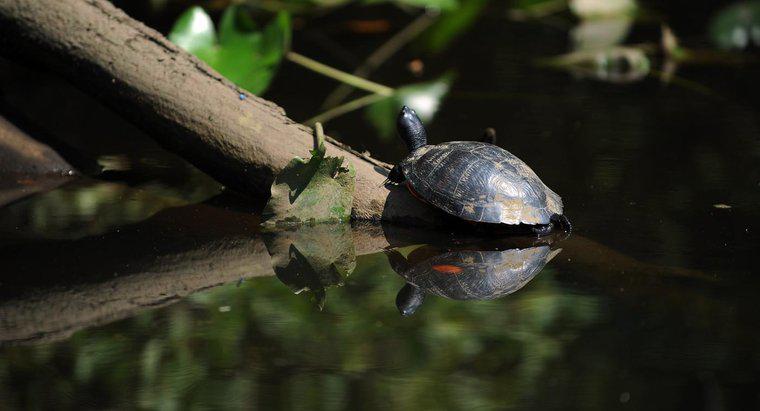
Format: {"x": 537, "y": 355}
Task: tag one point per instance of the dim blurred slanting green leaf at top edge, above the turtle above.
{"x": 451, "y": 24}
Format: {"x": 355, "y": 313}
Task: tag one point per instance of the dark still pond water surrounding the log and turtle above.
{"x": 147, "y": 288}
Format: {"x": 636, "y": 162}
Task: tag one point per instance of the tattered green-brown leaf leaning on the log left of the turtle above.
{"x": 311, "y": 191}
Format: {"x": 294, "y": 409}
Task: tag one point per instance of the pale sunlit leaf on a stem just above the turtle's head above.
{"x": 424, "y": 98}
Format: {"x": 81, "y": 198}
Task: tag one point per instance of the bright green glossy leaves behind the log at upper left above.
{"x": 249, "y": 57}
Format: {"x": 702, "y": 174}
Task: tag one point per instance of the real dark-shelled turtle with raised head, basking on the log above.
{"x": 475, "y": 180}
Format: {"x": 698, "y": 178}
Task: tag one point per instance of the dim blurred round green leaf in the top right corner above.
{"x": 737, "y": 26}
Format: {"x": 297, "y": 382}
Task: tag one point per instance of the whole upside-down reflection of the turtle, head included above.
{"x": 465, "y": 274}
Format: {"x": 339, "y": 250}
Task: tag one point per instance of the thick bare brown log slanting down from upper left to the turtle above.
{"x": 239, "y": 139}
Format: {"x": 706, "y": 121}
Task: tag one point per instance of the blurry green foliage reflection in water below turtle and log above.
{"x": 271, "y": 348}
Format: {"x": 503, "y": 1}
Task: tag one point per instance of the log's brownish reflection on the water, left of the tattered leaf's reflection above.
{"x": 53, "y": 289}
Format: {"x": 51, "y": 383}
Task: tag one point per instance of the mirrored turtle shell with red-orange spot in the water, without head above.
{"x": 478, "y": 275}
